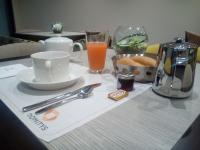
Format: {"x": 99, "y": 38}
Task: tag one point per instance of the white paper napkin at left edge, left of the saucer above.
{"x": 11, "y": 70}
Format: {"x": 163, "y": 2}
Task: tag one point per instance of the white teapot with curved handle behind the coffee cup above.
{"x": 62, "y": 44}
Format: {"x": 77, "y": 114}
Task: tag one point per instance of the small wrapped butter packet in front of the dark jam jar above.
{"x": 118, "y": 95}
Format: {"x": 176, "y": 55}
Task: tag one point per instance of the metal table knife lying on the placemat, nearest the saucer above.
{"x": 57, "y": 98}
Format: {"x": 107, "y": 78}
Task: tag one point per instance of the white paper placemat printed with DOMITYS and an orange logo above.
{"x": 65, "y": 118}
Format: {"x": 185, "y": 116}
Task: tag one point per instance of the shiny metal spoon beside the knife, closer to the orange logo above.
{"x": 84, "y": 93}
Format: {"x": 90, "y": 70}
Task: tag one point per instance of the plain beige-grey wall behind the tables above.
{"x": 163, "y": 19}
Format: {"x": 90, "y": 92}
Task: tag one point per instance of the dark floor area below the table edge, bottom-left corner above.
{"x": 14, "y": 135}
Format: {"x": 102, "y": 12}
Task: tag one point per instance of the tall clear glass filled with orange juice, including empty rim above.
{"x": 96, "y": 44}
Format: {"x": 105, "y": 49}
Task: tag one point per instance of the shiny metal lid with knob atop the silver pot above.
{"x": 180, "y": 45}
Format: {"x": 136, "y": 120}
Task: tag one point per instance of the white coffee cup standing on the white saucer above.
{"x": 51, "y": 66}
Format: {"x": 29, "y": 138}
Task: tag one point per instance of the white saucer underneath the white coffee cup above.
{"x": 27, "y": 76}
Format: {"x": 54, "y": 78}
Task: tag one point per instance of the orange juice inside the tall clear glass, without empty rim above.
{"x": 96, "y": 55}
